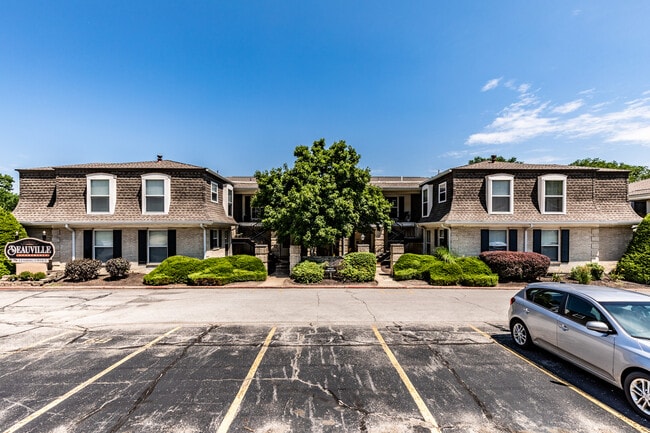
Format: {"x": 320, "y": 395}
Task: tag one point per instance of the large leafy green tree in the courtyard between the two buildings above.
{"x": 324, "y": 197}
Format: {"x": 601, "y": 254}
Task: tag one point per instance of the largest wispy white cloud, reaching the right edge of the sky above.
{"x": 530, "y": 117}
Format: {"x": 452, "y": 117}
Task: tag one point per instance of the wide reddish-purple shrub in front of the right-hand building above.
{"x": 516, "y": 265}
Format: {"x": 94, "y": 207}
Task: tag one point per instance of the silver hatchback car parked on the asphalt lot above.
{"x": 605, "y": 331}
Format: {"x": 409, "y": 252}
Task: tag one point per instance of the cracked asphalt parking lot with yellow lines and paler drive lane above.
{"x": 99, "y": 361}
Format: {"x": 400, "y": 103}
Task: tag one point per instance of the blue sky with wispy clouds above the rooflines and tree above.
{"x": 414, "y": 86}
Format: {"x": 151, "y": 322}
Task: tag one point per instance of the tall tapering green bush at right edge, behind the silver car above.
{"x": 635, "y": 264}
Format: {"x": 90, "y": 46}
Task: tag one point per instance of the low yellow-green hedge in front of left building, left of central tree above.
{"x": 209, "y": 272}
